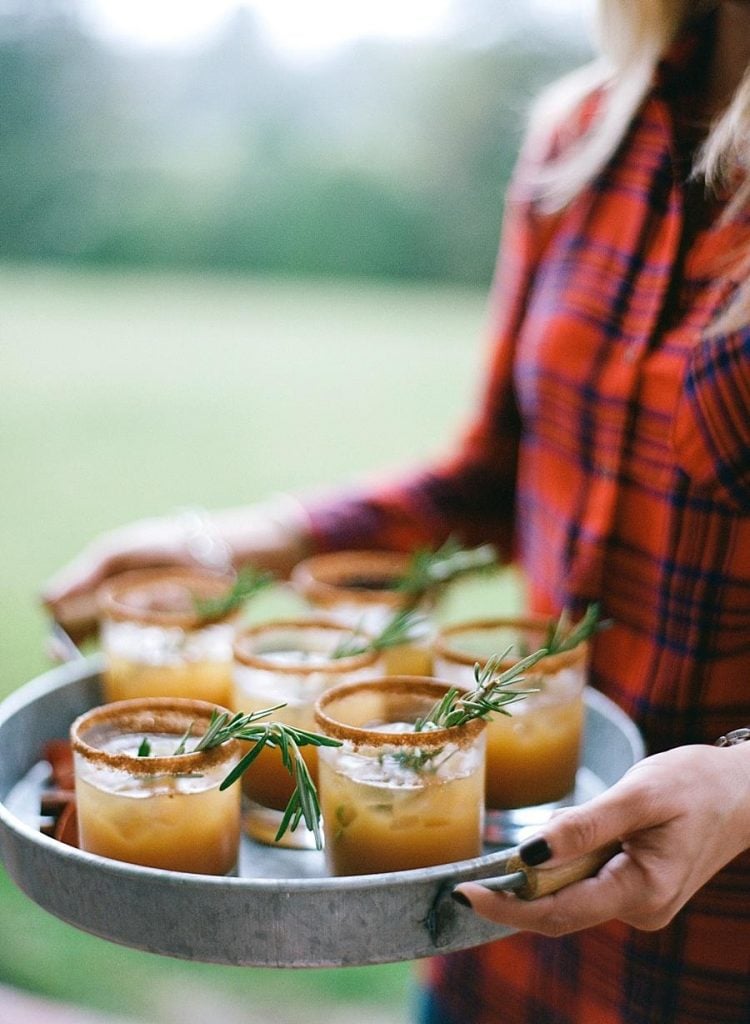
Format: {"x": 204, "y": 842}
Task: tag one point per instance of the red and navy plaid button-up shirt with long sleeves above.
{"x": 612, "y": 457}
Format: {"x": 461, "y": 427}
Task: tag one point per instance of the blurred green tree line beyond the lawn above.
{"x": 383, "y": 159}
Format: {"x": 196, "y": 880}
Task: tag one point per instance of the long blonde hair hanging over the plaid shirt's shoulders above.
{"x": 632, "y": 37}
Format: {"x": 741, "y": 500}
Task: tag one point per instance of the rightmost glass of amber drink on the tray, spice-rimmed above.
{"x": 533, "y": 754}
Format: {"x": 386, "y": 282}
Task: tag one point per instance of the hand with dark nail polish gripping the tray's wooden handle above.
{"x": 680, "y": 817}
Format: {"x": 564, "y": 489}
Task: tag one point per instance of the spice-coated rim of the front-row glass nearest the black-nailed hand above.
{"x": 462, "y": 736}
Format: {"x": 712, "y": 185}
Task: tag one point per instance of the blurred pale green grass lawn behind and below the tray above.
{"x": 129, "y": 396}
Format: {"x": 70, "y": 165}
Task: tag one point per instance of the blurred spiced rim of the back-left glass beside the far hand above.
{"x": 112, "y": 602}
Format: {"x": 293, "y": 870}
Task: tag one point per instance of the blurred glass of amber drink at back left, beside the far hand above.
{"x": 157, "y": 643}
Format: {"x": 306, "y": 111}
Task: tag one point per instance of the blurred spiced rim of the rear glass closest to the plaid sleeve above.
{"x": 323, "y": 578}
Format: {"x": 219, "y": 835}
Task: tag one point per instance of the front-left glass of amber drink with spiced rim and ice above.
{"x": 159, "y": 810}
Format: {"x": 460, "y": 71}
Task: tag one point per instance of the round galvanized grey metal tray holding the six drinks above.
{"x": 282, "y": 910}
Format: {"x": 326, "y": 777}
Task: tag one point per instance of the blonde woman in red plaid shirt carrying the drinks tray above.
{"x": 612, "y": 458}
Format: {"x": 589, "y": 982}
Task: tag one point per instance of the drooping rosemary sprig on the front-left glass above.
{"x": 224, "y": 727}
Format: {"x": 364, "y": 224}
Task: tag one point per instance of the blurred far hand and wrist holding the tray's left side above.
{"x": 273, "y": 536}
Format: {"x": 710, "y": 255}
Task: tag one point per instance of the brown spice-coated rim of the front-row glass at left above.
{"x": 172, "y": 715}
